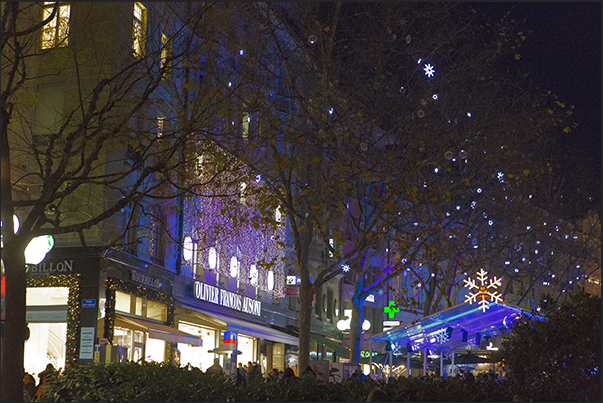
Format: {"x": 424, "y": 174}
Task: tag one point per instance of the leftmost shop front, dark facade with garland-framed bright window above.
{"x": 61, "y": 298}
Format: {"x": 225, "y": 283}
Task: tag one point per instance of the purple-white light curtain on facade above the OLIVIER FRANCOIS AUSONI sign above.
{"x": 256, "y": 250}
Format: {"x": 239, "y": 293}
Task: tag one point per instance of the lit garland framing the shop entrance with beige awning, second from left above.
{"x": 137, "y": 290}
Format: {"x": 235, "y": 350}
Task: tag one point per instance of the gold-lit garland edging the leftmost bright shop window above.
{"x": 71, "y": 281}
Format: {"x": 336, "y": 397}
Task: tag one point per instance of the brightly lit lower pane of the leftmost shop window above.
{"x": 46, "y": 344}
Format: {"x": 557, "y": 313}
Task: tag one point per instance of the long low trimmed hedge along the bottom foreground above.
{"x": 153, "y": 382}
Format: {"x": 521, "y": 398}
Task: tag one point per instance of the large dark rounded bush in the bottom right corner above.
{"x": 557, "y": 359}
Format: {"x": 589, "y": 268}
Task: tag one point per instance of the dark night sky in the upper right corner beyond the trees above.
{"x": 563, "y": 55}
